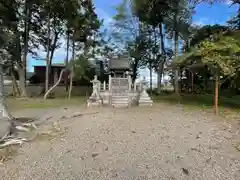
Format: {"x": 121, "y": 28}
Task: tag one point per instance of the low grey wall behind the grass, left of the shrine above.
{"x": 59, "y": 91}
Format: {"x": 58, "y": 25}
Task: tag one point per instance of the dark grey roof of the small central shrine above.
{"x": 119, "y": 63}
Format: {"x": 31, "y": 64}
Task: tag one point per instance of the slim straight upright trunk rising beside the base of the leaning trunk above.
{"x": 47, "y": 57}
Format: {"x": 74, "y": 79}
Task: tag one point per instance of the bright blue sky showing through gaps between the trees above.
{"x": 205, "y": 14}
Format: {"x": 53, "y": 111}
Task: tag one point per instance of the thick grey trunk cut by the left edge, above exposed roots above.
{"x": 5, "y": 116}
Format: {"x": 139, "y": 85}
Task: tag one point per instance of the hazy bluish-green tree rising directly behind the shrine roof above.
{"x": 129, "y": 34}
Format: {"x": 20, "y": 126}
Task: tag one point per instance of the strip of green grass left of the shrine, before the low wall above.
{"x": 15, "y": 103}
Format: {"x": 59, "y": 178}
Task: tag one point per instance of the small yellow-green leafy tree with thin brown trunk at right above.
{"x": 220, "y": 54}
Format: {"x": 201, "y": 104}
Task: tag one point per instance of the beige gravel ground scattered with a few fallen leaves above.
{"x": 163, "y": 143}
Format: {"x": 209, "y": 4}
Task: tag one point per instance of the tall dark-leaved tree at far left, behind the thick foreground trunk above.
{"x": 21, "y": 19}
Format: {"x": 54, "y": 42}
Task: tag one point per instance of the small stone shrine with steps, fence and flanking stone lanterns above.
{"x": 120, "y": 91}
